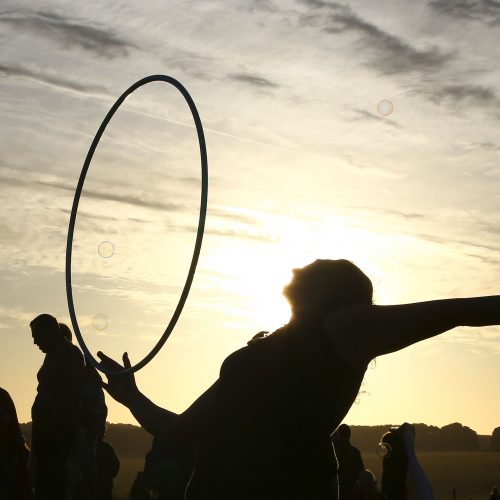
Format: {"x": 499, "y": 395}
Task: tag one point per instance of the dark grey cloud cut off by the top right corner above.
{"x": 485, "y": 11}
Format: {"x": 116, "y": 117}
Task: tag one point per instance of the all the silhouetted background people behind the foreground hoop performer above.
{"x": 68, "y": 458}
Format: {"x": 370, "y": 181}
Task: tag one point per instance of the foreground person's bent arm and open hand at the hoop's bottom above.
{"x": 156, "y": 420}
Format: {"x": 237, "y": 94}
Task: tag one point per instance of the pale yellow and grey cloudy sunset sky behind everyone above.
{"x": 360, "y": 130}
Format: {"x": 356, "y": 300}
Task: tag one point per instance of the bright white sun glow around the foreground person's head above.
{"x": 254, "y": 272}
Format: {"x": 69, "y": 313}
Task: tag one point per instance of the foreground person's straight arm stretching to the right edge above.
{"x": 363, "y": 332}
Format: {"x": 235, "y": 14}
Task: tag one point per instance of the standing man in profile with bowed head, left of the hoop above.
{"x": 57, "y": 407}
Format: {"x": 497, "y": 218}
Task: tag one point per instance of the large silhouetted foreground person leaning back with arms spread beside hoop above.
{"x": 264, "y": 426}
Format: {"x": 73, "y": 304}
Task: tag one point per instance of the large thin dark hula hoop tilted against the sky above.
{"x": 199, "y": 234}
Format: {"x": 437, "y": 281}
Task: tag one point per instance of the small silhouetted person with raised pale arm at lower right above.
{"x": 403, "y": 477}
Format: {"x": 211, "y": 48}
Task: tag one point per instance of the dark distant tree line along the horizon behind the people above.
{"x": 133, "y": 441}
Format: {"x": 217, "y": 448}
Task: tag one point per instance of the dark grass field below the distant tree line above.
{"x": 472, "y": 474}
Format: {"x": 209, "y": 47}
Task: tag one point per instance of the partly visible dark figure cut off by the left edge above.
{"x": 14, "y": 453}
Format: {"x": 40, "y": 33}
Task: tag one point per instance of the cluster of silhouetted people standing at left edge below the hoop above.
{"x": 68, "y": 458}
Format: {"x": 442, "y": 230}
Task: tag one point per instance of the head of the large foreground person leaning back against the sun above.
{"x": 326, "y": 285}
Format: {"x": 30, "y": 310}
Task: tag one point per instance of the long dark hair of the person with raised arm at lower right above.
{"x": 394, "y": 465}
